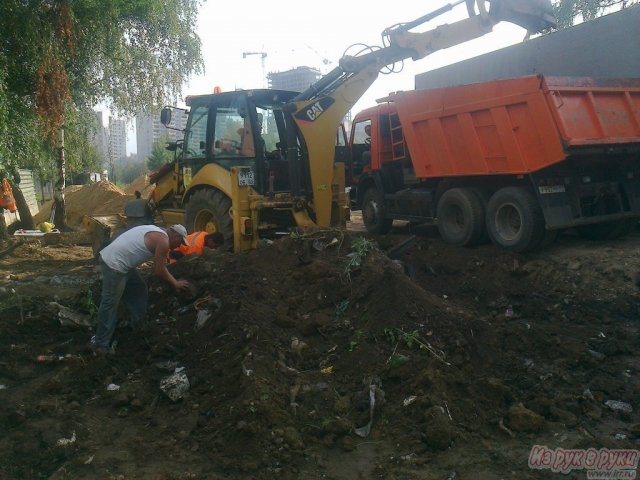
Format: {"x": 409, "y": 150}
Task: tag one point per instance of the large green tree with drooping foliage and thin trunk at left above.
{"x": 65, "y": 56}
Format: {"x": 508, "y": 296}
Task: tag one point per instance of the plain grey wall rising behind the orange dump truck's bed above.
{"x": 607, "y": 47}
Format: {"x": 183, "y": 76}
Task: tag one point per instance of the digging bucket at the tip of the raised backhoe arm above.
{"x": 534, "y": 15}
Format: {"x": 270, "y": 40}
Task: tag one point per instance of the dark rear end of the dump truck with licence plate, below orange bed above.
{"x": 592, "y": 196}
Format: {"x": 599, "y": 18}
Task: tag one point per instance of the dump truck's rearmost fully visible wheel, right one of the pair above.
{"x": 515, "y": 220}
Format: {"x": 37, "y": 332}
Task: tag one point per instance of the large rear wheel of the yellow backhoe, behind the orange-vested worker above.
{"x": 208, "y": 211}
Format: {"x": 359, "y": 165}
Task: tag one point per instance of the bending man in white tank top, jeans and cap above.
{"x": 121, "y": 280}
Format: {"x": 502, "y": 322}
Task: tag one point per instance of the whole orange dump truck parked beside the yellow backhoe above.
{"x": 517, "y": 159}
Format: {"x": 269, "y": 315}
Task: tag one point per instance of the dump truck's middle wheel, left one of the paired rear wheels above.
{"x": 460, "y": 217}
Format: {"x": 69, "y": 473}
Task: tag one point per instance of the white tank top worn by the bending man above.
{"x": 128, "y": 250}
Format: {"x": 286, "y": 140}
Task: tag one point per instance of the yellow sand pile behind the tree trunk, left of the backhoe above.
{"x": 98, "y": 198}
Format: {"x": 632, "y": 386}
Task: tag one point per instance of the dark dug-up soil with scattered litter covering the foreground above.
{"x": 471, "y": 357}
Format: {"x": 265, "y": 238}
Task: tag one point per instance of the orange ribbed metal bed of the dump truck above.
{"x": 516, "y": 126}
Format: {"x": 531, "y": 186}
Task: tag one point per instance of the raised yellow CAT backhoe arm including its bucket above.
{"x": 318, "y": 111}
